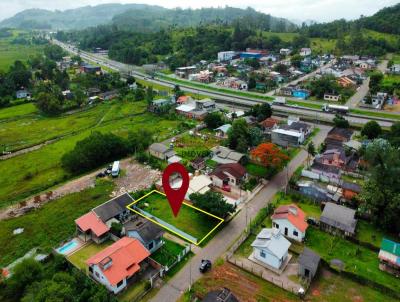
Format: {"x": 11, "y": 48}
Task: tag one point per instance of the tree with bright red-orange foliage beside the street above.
{"x": 269, "y": 155}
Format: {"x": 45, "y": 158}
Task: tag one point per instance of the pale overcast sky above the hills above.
{"x": 318, "y": 10}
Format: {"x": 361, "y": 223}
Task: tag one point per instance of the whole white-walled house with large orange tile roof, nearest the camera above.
{"x": 116, "y": 266}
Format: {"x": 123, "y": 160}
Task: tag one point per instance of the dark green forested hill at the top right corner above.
{"x": 386, "y": 20}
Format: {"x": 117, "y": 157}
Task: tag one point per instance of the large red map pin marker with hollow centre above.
{"x": 175, "y": 196}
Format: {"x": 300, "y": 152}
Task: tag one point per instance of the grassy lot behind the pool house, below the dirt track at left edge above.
{"x": 49, "y": 225}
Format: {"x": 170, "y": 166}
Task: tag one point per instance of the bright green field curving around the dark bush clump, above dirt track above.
{"x": 36, "y": 171}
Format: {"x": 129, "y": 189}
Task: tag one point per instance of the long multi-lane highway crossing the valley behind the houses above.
{"x": 232, "y": 101}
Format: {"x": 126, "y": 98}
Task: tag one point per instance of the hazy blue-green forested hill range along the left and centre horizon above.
{"x": 141, "y": 18}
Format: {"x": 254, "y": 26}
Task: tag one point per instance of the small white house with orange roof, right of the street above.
{"x": 291, "y": 221}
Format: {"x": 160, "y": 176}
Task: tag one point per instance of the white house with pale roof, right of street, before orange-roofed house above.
{"x": 271, "y": 248}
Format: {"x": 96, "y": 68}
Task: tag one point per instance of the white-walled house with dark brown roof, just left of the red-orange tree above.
{"x": 226, "y": 175}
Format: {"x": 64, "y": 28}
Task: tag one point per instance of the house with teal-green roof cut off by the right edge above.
{"x": 389, "y": 256}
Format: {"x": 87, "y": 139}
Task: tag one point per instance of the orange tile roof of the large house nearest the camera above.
{"x": 120, "y": 260}
